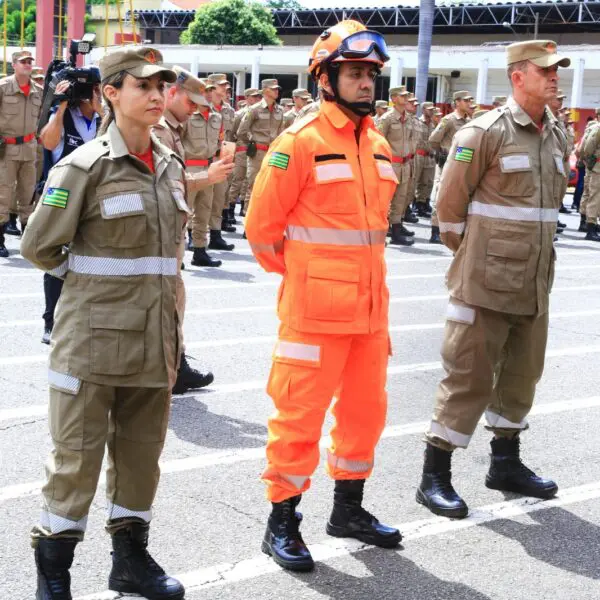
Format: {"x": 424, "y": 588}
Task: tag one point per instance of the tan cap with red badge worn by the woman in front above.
{"x": 139, "y": 61}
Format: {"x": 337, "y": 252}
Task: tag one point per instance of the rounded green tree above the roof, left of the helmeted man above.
{"x": 232, "y": 22}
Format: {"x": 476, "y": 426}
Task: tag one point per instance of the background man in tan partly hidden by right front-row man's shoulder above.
{"x": 440, "y": 141}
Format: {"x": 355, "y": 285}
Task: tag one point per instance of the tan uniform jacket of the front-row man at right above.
{"x": 501, "y": 187}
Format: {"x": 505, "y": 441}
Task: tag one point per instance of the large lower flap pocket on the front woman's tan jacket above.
{"x": 117, "y": 339}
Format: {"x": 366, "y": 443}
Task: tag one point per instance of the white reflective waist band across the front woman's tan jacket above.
{"x": 122, "y": 267}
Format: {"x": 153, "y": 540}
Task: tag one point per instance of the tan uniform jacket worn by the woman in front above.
{"x": 116, "y": 321}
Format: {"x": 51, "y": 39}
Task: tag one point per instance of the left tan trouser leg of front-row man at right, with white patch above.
{"x": 474, "y": 340}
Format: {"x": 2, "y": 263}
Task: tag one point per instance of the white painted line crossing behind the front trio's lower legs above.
{"x": 229, "y": 457}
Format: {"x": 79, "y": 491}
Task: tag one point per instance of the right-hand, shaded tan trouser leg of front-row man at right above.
{"x": 518, "y": 373}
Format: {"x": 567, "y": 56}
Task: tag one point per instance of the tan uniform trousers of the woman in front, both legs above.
{"x": 132, "y": 423}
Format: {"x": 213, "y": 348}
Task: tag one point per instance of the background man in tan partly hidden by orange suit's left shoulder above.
{"x": 260, "y": 126}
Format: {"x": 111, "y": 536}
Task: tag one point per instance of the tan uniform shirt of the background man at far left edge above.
{"x": 19, "y": 116}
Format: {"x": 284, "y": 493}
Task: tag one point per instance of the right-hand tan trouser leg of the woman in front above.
{"x": 138, "y": 427}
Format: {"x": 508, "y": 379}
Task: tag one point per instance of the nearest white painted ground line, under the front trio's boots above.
{"x": 330, "y": 548}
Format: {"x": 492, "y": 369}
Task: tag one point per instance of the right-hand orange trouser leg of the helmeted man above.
{"x": 360, "y": 408}
